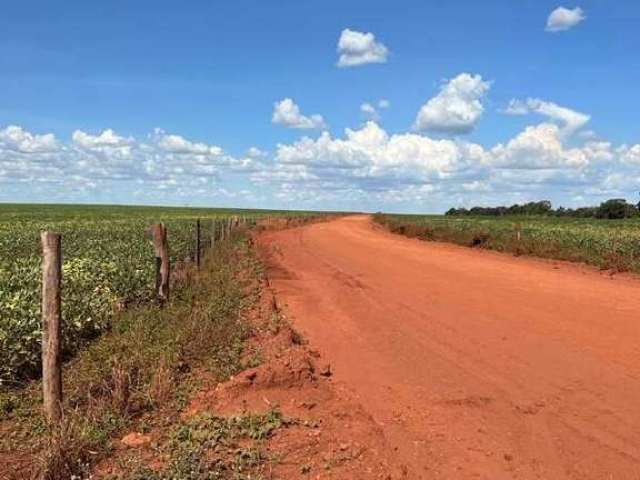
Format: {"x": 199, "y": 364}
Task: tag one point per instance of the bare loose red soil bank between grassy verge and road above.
{"x": 330, "y": 435}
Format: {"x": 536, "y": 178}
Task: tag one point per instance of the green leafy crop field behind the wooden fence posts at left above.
{"x": 108, "y": 263}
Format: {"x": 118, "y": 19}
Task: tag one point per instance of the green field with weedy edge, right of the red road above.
{"x": 608, "y": 244}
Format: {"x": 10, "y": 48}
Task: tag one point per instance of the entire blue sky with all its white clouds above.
{"x": 488, "y": 103}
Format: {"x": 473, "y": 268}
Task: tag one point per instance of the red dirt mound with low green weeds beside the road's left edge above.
{"x": 283, "y": 418}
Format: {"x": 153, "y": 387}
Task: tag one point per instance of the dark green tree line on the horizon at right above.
{"x": 613, "y": 208}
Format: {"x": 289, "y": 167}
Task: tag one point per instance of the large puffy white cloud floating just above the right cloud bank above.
{"x": 457, "y": 108}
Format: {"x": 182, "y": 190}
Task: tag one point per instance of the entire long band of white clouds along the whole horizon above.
{"x": 366, "y": 167}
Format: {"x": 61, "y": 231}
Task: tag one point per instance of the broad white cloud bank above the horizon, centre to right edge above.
{"x": 370, "y": 165}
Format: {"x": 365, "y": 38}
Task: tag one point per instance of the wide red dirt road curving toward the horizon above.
{"x": 475, "y": 364}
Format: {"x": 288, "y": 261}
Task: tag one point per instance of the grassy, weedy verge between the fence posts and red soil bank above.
{"x": 145, "y": 363}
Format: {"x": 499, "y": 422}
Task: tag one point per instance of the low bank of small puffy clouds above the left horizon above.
{"x": 101, "y": 162}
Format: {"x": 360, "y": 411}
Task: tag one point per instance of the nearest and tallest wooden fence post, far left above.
{"x": 51, "y": 326}
